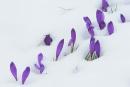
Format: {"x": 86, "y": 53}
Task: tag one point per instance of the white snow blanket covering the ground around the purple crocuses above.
{"x": 23, "y": 24}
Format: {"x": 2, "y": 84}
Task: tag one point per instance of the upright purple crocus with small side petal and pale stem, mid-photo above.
{"x": 72, "y": 40}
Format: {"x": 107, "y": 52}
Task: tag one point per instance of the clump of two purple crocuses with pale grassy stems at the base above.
{"x": 94, "y": 50}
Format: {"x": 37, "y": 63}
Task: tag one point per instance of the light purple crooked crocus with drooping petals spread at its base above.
{"x": 40, "y": 66}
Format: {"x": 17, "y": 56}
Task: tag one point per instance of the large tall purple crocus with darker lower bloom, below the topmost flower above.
{"x": 100, "y": 19}
